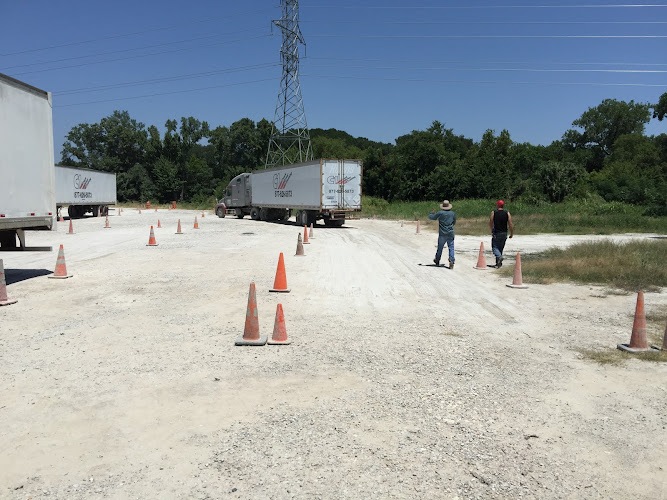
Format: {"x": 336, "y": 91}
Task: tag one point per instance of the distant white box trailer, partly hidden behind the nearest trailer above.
{"x": 83, "y": 190}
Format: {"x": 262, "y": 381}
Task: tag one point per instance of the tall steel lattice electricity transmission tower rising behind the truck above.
{"x": 290, "y": 140}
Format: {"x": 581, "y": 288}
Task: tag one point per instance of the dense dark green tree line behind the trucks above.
{"x": 605, "y": 154}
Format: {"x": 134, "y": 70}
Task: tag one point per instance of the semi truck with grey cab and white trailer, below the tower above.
{"x": 324, "y": 189}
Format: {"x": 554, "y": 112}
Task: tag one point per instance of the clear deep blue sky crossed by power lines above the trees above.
{"x": 376, "y": 69}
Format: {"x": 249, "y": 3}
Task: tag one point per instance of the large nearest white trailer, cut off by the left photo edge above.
{"x": 27, "y": 168}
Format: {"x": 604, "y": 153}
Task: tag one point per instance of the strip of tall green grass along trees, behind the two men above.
{"x": 592, "y": 216}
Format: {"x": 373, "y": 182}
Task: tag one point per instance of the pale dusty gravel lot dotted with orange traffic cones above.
{"x": 402, "y": 381}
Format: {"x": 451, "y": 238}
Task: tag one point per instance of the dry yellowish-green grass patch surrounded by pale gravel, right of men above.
{"x": 632, "y": 266}
